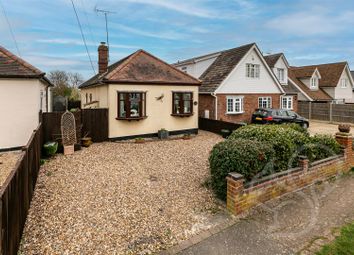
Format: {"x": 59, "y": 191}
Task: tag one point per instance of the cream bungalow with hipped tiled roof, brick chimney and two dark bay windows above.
{"x": 143, "y": 95}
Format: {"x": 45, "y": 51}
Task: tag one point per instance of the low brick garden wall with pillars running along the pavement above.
{"x": 241, "y": 197}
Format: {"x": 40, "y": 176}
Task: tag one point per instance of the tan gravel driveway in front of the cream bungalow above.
{"x": 122, "y": 198}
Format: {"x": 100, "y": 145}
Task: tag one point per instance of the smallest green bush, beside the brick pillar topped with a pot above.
{"x": 320, "y": 147}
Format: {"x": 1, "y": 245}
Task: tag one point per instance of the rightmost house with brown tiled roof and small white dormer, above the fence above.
{"x": 324, "y": 83}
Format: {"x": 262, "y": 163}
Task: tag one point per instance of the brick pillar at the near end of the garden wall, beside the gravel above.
{"x": 234, "y": 189}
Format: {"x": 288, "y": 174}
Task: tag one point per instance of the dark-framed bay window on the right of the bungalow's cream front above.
{"x": 182, "y": 103}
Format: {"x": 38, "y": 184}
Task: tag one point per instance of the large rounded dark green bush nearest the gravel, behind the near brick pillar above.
{"x": 247, "y": 157}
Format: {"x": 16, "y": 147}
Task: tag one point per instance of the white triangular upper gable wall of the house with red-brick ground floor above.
{"x": 237, "y": 82}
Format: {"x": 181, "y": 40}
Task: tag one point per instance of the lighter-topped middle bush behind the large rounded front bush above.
{"x": 284, "y": 140}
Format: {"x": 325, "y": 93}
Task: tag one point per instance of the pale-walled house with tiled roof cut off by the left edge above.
{"x": 24, "y": 92}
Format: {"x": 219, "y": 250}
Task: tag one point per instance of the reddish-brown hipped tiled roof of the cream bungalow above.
{"x": 140, "y": 68}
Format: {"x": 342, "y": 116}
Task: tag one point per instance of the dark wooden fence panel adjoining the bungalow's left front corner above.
{"x": 95, "y": 124}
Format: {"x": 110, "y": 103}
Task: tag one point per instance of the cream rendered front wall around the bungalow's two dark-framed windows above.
{"x": 158, "y": 111}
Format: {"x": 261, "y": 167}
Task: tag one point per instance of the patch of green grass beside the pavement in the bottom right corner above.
{"x": 342, "y": 245}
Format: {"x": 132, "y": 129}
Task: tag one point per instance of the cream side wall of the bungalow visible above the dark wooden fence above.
{"x": 99, "y": 93}
